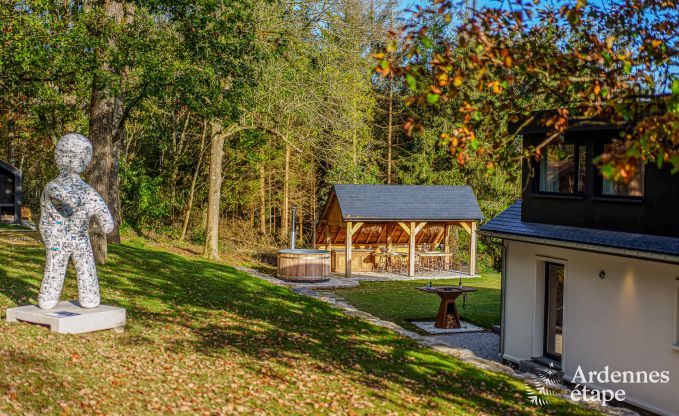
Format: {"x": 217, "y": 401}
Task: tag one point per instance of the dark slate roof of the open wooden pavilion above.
{"x": 407, "y": 202}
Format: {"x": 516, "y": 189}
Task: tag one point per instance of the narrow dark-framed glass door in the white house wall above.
{"x": 554, "y": 279}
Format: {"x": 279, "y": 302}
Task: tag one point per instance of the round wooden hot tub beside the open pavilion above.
{"x": 299, "y": 265}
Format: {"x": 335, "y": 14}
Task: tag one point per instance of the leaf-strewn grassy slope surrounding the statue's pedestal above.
{"x": 203, "y": 338}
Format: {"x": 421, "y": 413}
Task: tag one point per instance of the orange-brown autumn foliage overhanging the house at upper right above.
{"x": 615, "y": 63}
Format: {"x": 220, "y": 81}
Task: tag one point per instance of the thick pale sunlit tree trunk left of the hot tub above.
{"x": 214, "y": 193}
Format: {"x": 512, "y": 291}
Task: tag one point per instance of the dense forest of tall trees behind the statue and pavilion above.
{"x": 284, "y": 90}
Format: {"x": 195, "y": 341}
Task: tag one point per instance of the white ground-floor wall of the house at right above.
{"x": 626, "y": 321}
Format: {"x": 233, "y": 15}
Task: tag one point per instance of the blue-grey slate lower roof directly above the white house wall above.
{"x": 509, "y": 224}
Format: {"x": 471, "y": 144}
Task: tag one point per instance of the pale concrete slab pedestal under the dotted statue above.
{"x": 70, "y": 318}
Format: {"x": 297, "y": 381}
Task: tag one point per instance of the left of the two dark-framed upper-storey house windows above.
{"x": 563, "y": 169}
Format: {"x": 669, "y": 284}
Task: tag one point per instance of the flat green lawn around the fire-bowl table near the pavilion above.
{"x": 399, "y": 301}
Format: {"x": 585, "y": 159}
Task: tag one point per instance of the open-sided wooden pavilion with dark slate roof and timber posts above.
{"x": 374, "y": 216}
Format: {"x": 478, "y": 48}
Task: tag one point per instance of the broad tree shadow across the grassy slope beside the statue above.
{"x": 226, "y": 309}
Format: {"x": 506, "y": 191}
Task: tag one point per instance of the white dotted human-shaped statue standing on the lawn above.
{"x": 67, "y": 205}
